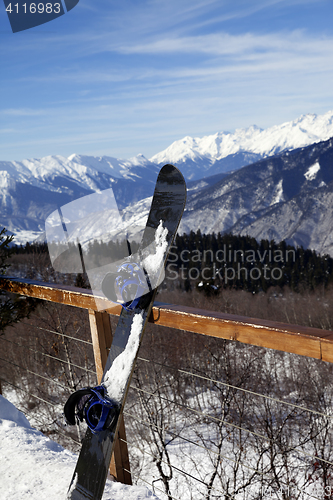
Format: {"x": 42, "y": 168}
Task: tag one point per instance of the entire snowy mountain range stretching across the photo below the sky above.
{"x": 283, "y": 190}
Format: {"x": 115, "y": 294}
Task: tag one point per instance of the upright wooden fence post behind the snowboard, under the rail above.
{"x": 101, "y": 335}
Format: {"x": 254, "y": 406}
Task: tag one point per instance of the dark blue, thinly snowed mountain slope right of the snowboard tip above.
{"x": 285, "y": 197}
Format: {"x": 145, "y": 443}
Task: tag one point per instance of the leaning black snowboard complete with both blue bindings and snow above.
{"x": 134, "y": 283}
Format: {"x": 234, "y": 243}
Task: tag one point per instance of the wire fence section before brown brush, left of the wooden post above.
{"x": 42, "y": 361}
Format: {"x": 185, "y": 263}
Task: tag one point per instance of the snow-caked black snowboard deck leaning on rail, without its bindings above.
{"x": 167, "y": 207}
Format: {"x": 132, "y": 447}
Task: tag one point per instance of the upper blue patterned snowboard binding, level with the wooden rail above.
{"x": 127, "y": 285}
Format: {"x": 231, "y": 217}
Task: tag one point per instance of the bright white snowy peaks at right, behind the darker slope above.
{"x": 224, "y": 151}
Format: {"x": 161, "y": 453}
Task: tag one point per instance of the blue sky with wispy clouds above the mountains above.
{"x": 123, "y": 78}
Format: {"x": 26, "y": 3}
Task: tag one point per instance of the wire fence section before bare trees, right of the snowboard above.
{"x": 258, "y": 483}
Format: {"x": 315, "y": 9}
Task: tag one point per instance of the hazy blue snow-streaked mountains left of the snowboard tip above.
{"x": 32, "y": 189}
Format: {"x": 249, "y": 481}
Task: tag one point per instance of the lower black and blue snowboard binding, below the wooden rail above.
{"x": 92, "y": 405}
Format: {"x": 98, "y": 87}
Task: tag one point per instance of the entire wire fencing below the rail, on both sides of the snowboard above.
{"x": 209, "y": 421}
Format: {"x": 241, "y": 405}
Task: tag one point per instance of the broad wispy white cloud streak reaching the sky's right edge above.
{"x": 213, "y": 57}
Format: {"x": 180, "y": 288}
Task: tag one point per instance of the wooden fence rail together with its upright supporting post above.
{"x": 310, "y": 342}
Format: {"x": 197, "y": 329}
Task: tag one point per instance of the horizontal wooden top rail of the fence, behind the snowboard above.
{"x": 306, "y": 341}
